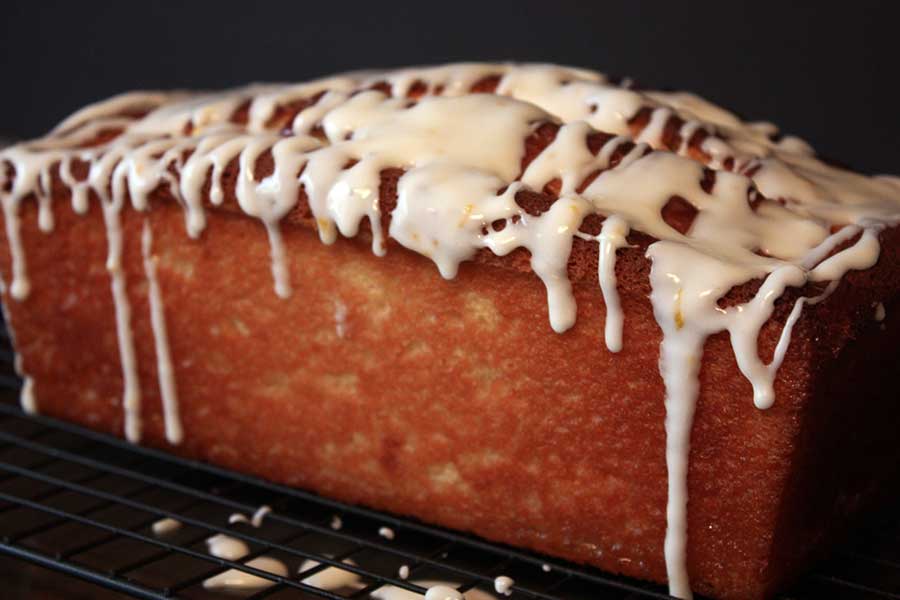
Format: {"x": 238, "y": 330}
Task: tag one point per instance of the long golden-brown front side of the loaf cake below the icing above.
{"x": 442, "y": 401}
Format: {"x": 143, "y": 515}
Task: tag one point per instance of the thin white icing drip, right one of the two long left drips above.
{"x": 164, "y": 369}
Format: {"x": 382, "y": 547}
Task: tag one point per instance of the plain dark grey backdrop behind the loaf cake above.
{"x": 824, "y": 73}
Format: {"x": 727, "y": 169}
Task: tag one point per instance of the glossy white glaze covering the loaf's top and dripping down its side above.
{"x": 768, "y": 215}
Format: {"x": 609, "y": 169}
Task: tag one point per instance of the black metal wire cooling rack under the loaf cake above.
{"x": 84, "y": 503}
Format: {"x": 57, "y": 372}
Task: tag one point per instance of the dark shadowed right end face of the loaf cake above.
{"x": 846, "y": 464}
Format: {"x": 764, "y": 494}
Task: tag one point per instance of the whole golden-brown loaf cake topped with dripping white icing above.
{"x": 248, "y": 278}
